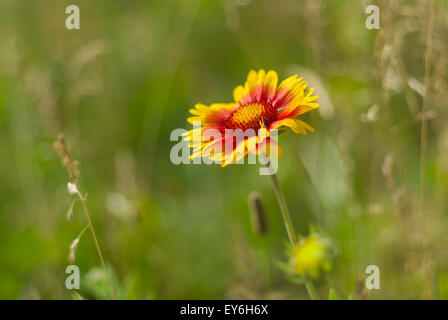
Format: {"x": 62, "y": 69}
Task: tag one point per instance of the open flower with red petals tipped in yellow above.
{"x": 259, "y": 107}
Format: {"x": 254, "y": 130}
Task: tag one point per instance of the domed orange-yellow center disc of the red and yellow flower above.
{"x": 250, "y": 116}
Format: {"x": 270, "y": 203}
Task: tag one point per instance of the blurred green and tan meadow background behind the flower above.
{"x": 116, "y": 89}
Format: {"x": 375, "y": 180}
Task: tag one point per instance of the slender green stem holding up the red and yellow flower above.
{"x": 290, "y": 228}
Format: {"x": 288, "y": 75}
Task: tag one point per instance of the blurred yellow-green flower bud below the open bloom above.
{"x": 311, "y": 256}
